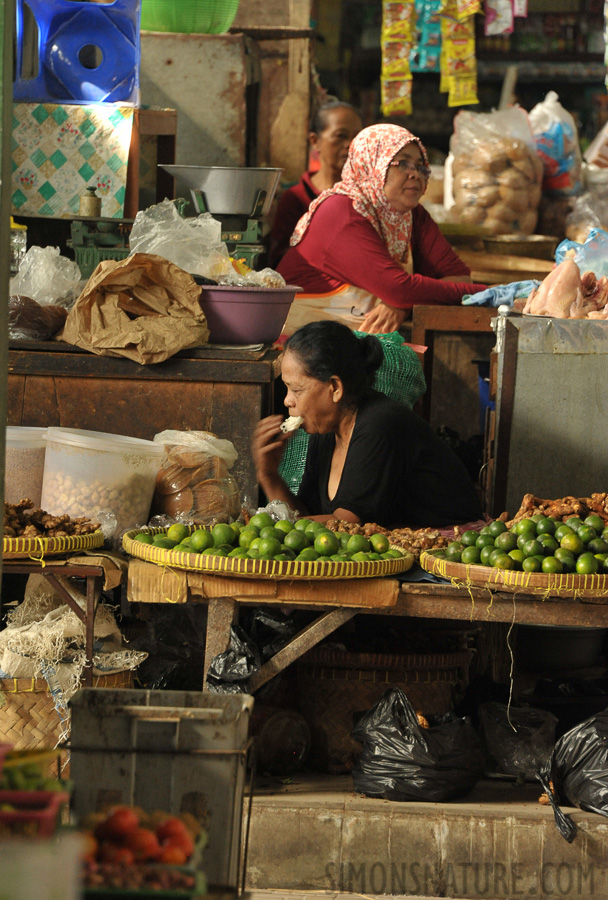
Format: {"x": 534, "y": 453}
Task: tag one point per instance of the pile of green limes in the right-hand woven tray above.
{"x": 537, "y": 544}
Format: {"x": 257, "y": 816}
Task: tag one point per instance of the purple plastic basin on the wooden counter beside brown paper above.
{"x": 246, "y": 315}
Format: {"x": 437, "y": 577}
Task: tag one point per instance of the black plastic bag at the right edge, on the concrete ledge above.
{"x": 578, "y": 769}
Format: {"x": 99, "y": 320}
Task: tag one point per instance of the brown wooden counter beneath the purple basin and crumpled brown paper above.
{"x": 204, "y": 389}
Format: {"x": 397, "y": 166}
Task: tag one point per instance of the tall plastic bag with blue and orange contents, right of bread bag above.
{"x": 557, "y": 145}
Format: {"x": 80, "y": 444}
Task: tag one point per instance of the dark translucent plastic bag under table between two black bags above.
{"x": 519, "y": 740}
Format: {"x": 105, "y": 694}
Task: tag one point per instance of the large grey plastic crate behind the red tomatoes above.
{"x": 178, "y": 751}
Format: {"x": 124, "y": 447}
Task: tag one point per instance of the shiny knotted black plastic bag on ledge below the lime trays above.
{"x": 401, "y": 760}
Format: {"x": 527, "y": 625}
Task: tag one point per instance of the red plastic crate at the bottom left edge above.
{"x": 32, "y": 813}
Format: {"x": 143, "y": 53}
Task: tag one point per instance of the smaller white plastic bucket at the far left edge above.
{"x": 24, "y": 464}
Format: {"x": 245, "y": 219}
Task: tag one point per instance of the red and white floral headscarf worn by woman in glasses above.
{"x": 363, "y": 178}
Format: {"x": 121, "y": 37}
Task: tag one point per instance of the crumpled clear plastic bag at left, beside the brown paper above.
{"x": 47, "y": 277}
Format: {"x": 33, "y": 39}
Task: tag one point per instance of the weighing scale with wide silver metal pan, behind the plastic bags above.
{"x": 238, "y": 198}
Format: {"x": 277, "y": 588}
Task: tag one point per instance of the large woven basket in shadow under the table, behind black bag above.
{"x": 336, "y": 687}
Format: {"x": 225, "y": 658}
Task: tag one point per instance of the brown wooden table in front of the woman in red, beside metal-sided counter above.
{"x": 427, "y": 321}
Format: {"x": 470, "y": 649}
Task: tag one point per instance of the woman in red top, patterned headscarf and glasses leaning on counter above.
{"x": 367, "y": 251}
